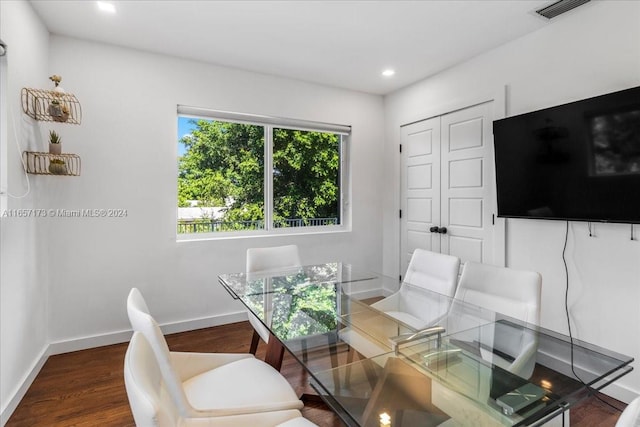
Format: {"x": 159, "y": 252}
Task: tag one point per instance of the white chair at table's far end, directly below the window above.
{"x": 264, "y": 260}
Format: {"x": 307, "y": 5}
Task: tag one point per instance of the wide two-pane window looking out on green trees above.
{"x": 253, "y": 174}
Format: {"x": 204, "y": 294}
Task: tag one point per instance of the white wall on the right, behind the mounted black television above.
{"x": 591, "y": 51}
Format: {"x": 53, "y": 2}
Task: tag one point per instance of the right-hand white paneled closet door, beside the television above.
{"x": 467, "y": 184}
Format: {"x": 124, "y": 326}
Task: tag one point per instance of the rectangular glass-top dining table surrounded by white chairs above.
{"x": 384, "y": 353}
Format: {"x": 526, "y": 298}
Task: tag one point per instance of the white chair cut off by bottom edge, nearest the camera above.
{"x": 152, "y": 406}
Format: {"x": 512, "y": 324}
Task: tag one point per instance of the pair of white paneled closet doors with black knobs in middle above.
{"x": 448, "y": 187}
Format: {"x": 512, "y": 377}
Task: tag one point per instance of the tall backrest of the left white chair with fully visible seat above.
{"x": 143, "y": 322}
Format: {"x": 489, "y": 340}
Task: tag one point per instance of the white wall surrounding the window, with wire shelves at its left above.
{"x": 128, "y": 145}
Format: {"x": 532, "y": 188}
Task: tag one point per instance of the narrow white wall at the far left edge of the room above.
{"x": 23, "y": 284}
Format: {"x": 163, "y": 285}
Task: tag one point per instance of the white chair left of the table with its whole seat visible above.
{"x": 212, "y": 384}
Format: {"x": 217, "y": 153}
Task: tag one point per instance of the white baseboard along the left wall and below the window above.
{"x": 84, "y": 343}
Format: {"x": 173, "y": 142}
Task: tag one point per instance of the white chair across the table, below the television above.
{"x": 510, "y": 292}
